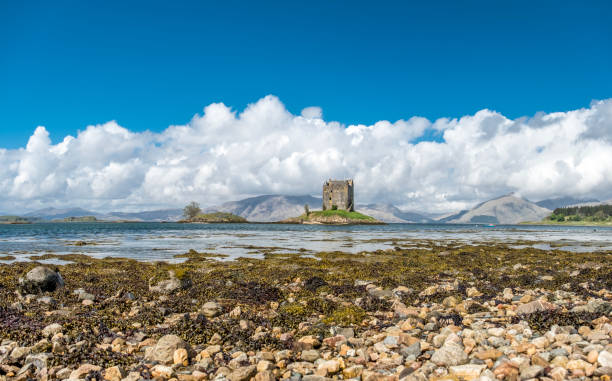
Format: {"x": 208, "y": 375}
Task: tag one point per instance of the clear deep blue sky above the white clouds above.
{"x": 150, "y": 64}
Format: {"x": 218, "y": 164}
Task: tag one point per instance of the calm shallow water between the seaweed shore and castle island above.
{"x": 157, "y": 241}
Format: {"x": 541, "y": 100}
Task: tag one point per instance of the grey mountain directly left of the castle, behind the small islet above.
{"x": 268, "y": 208}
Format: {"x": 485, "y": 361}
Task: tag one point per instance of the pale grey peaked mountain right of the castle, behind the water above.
{"x": 507, "y": 209}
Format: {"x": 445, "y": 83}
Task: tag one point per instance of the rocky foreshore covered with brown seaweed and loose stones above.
{"x": 442, "y": 312}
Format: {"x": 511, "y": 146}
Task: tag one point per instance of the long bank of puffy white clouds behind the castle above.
{"x": 223, "y": 155}
